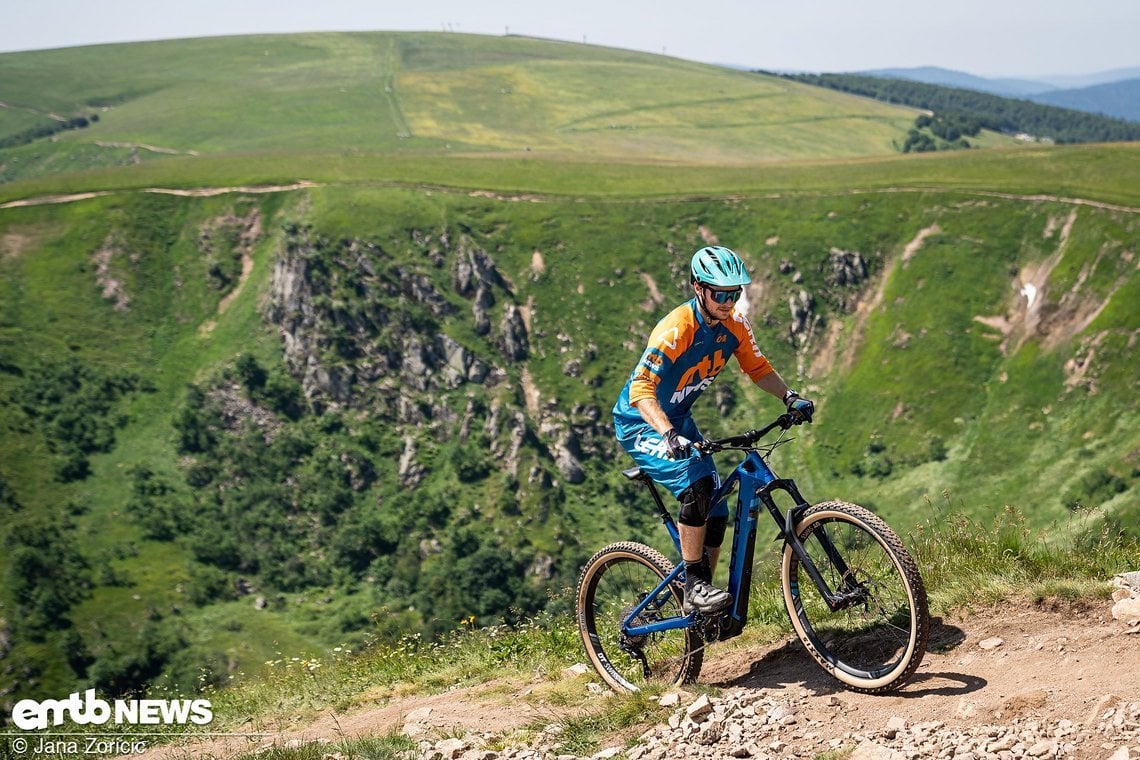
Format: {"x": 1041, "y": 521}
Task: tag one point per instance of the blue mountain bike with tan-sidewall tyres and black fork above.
{"x": 853, "y": 593}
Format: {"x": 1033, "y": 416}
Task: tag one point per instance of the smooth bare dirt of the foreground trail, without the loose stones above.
{"x": 1046, "y": 663}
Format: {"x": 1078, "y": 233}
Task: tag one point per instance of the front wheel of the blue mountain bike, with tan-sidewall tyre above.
{"x": 877, "y": 638}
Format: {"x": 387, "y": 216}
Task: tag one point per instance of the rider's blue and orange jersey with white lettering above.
{"x": 683, "y": 358}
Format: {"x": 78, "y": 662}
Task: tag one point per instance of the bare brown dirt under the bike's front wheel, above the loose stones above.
{"x": 1049, "y": 664}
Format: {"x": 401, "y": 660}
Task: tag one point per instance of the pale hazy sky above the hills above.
{"x": 989, "y": 38}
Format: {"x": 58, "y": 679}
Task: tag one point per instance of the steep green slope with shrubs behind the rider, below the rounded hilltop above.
{"x": 918, "y": 398}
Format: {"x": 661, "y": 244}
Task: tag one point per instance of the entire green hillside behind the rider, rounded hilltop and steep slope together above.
{"x": 251, "y": 423}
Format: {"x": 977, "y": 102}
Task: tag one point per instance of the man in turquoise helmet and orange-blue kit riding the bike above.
{"x": 687, "y": 350}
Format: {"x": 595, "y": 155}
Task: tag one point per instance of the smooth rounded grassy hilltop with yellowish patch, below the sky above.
{"x": 424, "y": 94}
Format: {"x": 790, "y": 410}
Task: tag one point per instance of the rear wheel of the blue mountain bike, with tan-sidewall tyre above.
{"x": 613, "y": 584}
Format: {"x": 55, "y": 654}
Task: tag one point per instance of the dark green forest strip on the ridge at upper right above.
{"x": 1007, "y": 116}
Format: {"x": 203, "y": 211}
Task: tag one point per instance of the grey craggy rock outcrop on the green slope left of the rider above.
{"x": 363, "y": 330}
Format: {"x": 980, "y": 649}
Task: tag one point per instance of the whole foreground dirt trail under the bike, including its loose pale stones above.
{"x": 1021, "y": 681}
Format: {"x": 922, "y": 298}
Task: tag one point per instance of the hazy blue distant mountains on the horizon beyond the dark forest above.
{"x": 1111, "y": 94}
